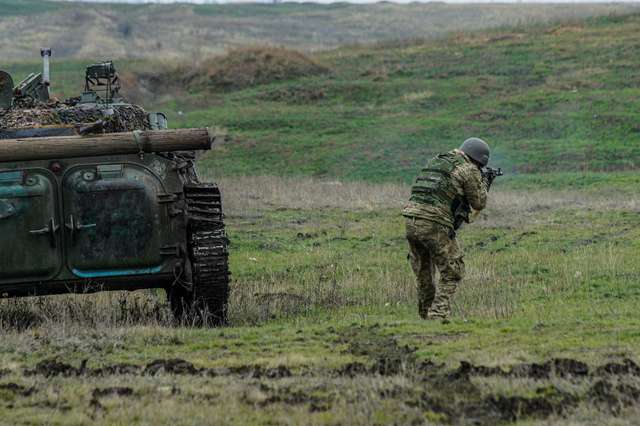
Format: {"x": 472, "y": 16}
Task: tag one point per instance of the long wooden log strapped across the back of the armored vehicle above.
{"x": 56, "y": 147}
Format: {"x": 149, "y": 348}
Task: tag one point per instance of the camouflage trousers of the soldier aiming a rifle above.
{"x": 432, "y": 248}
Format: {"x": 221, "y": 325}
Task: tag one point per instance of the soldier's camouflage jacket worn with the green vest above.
{"x": 464, "y": 182}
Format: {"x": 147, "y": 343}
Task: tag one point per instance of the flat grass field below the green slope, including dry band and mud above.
{"x": 324, "y": 329}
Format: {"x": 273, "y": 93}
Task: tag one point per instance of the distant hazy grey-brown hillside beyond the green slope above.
{"x": 191, "y": 31}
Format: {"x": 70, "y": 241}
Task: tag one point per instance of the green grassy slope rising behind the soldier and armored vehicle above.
{"x": 557, "y": 102}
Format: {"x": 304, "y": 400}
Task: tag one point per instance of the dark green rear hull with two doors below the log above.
{"x": 90, "y": 224}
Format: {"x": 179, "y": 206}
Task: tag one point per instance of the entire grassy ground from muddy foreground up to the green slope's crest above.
{"x": 324, "y": 328}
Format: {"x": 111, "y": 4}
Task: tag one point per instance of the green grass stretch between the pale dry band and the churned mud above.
{"x": 567, "y": 270}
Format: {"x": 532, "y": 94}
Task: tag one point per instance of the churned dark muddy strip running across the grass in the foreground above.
{"x": 429, "y": 392}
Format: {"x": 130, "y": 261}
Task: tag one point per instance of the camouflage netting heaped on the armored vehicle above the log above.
{"x": 108, "y": 119}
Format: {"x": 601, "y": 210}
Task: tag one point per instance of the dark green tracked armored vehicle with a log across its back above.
{"x": 97, "y": 194}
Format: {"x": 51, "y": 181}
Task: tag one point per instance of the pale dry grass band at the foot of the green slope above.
{"x": 252, "y": 193}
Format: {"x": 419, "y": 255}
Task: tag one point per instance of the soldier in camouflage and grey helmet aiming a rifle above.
{"x": 449, "y": 183}
